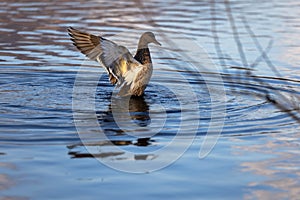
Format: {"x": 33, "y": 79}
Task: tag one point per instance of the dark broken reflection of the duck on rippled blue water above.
{"x": 134, "y": 108}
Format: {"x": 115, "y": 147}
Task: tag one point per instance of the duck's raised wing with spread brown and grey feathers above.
{"x": 117, "y": 60}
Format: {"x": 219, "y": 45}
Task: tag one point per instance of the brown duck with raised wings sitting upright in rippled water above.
{"x": 130, "y": 74}
